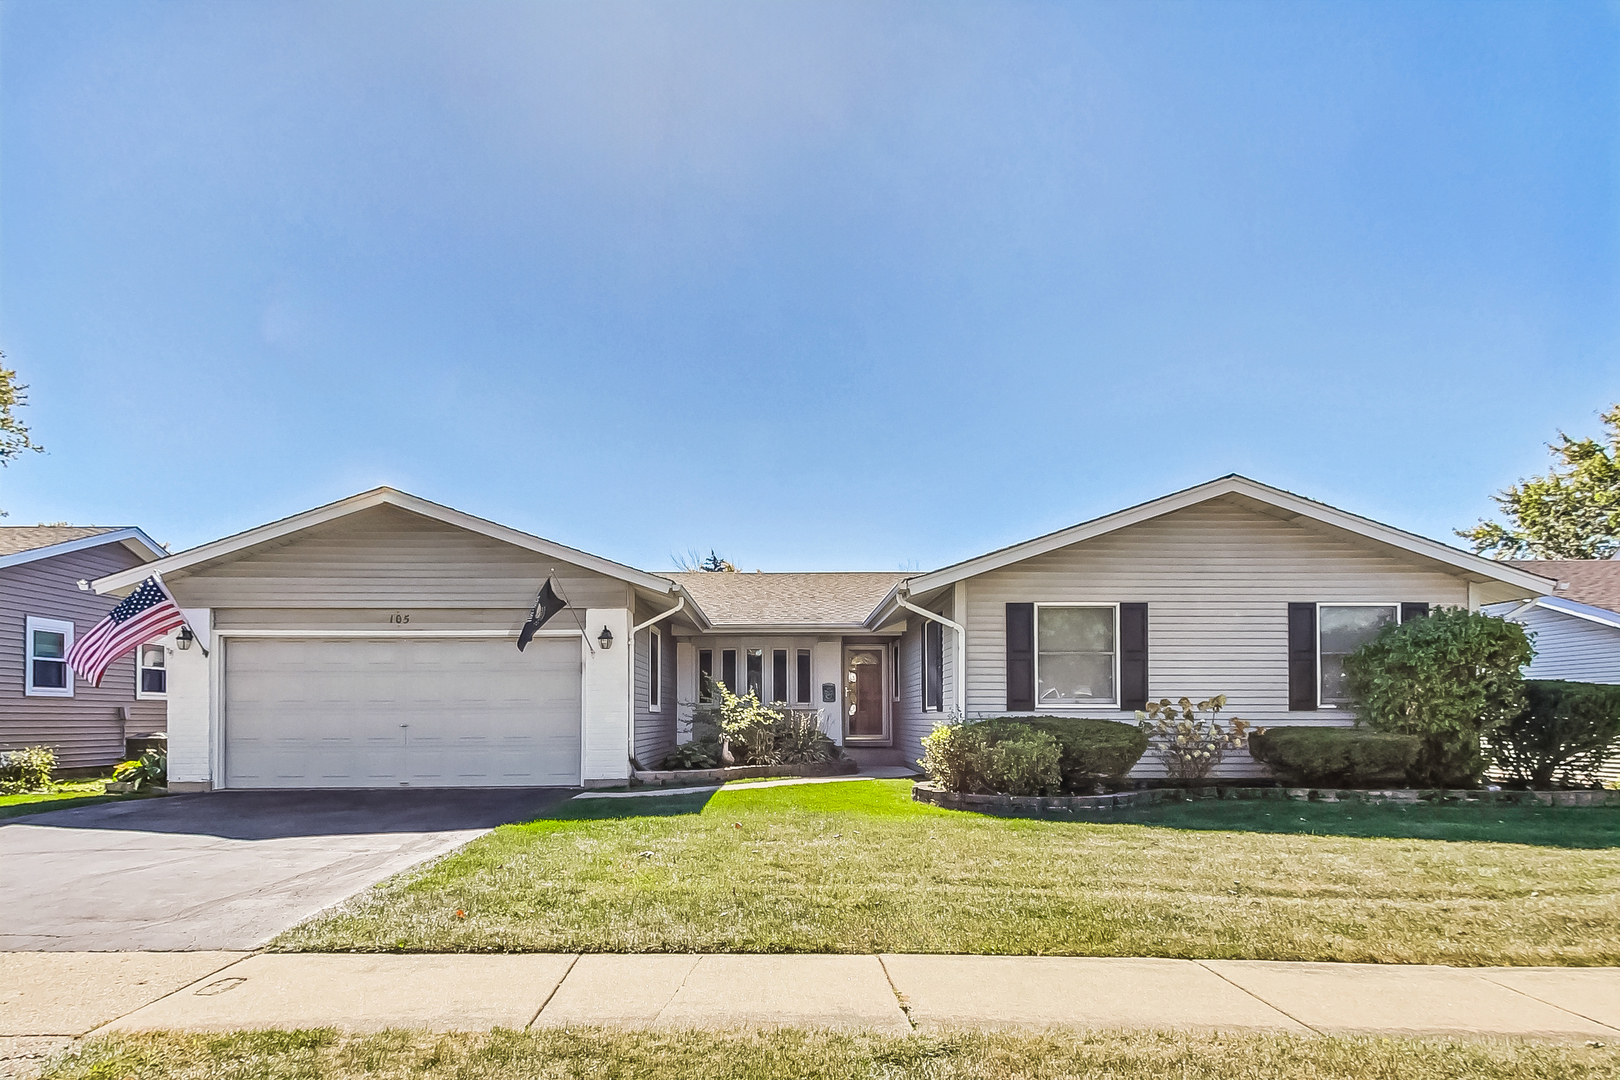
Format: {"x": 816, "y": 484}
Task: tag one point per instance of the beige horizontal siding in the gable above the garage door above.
{"x": 388, "y": 559}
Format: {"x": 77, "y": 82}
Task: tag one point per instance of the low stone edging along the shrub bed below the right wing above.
{"x": 927, "y": 793}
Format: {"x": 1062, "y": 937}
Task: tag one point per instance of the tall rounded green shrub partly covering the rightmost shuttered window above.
{"x": 1451, "y": 679}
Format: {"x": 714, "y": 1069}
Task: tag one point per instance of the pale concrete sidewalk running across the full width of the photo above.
{"x": 54, "y": 995}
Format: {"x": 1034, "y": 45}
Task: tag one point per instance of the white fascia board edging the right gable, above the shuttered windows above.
{"x": 1234, "y": 487}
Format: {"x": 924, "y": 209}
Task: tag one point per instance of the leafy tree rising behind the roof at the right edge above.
{"x": 1572, "y": 512}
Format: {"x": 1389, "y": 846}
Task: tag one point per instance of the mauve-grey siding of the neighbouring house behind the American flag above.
{"x": 83, "y": 729}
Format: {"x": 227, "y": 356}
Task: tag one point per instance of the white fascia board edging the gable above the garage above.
{"x": 367, "y": 501}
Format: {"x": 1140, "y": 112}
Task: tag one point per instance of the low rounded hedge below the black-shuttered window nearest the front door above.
{"x": 1038, "y": 757}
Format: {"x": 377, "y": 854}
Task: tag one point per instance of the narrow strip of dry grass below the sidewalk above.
{"x": 821, "y": 1057}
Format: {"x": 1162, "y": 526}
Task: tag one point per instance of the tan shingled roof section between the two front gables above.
{"x": 788, "y": 600}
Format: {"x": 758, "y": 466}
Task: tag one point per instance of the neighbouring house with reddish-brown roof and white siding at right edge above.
{"x": 1577, "y": 626}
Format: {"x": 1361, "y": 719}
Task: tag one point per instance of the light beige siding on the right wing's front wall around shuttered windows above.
{"x": 1217, "y": 579}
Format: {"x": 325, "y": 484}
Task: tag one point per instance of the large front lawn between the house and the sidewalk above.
{"x": 861, "y": 869}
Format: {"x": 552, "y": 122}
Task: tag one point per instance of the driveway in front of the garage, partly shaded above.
{"x": 228, "y": 870}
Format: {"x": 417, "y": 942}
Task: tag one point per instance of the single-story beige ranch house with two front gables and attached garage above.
{"x": 372, "y": 642}
